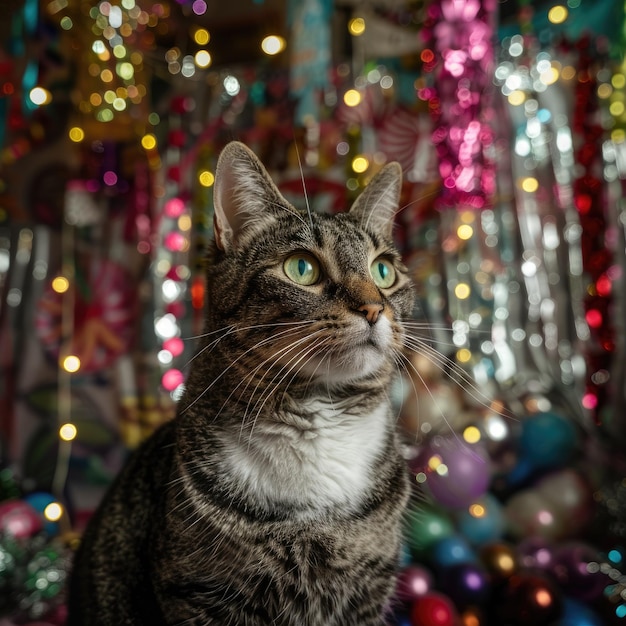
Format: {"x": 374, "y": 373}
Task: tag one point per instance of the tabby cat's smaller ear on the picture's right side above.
{"x": 376, "y": 207}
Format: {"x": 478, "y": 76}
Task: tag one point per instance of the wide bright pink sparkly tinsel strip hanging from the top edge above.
{"x": 461, "y": 59}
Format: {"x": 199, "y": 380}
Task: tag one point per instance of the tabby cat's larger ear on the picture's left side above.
{"x": 242, "y": 194}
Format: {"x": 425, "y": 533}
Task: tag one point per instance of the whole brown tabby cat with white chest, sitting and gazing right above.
{"x": 276, "y": 494}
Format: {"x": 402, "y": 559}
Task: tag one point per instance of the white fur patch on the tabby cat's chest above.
{"x": 313, "y": 464}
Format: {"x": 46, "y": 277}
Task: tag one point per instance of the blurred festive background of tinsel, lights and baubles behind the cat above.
{"x": 508, "y": 119}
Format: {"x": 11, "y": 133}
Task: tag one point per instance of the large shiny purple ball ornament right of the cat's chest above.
{"x": 456, "y": 473}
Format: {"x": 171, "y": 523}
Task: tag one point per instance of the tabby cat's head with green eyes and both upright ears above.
{"x": 300, "y": 295}
